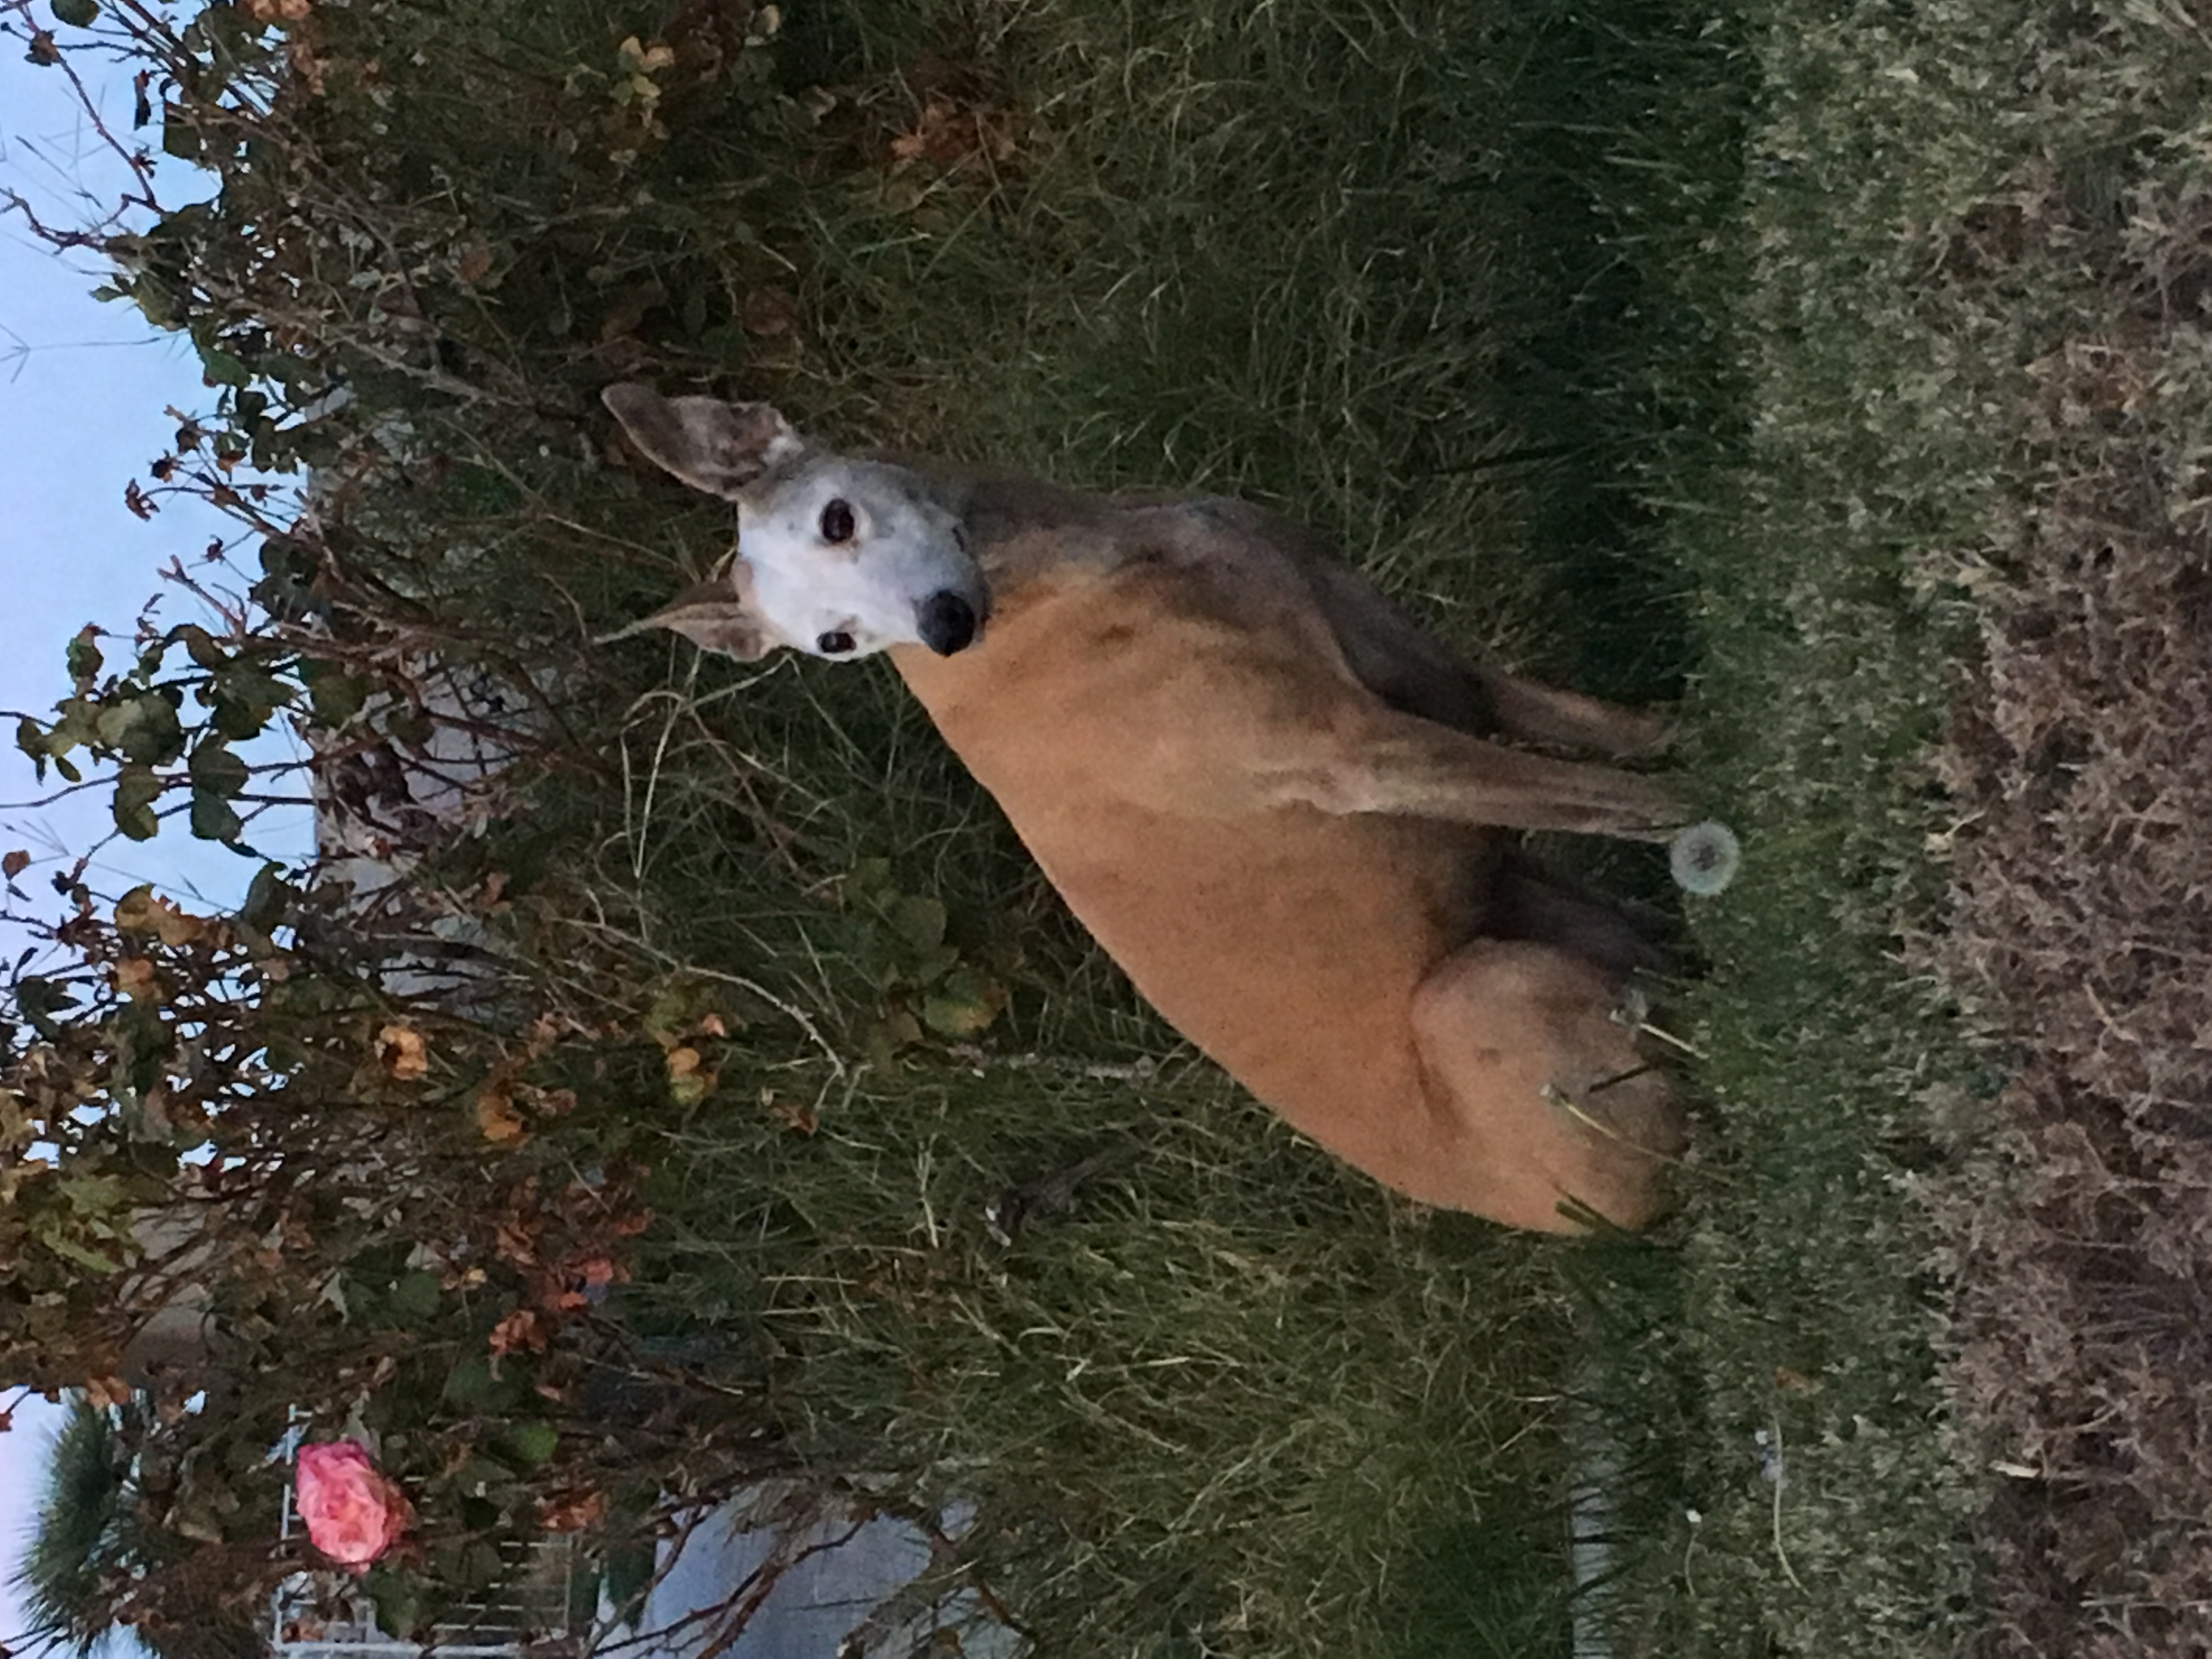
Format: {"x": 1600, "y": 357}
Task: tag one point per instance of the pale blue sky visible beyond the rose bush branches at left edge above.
{"x": 83, "y": 395}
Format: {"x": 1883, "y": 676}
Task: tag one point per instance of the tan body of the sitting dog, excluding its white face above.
{"x": 1280, "y": 806}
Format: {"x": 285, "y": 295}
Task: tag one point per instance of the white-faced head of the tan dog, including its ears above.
{"x": 835, "y": 556}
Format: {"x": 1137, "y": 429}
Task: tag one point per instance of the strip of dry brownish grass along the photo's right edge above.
{"x": 2085, "y": 919}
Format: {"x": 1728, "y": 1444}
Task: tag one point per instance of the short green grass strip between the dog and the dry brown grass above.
{"x": 1826, "y": 660}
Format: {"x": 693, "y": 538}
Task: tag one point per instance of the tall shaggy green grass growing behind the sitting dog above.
{"x": 1344, "y": 262}
